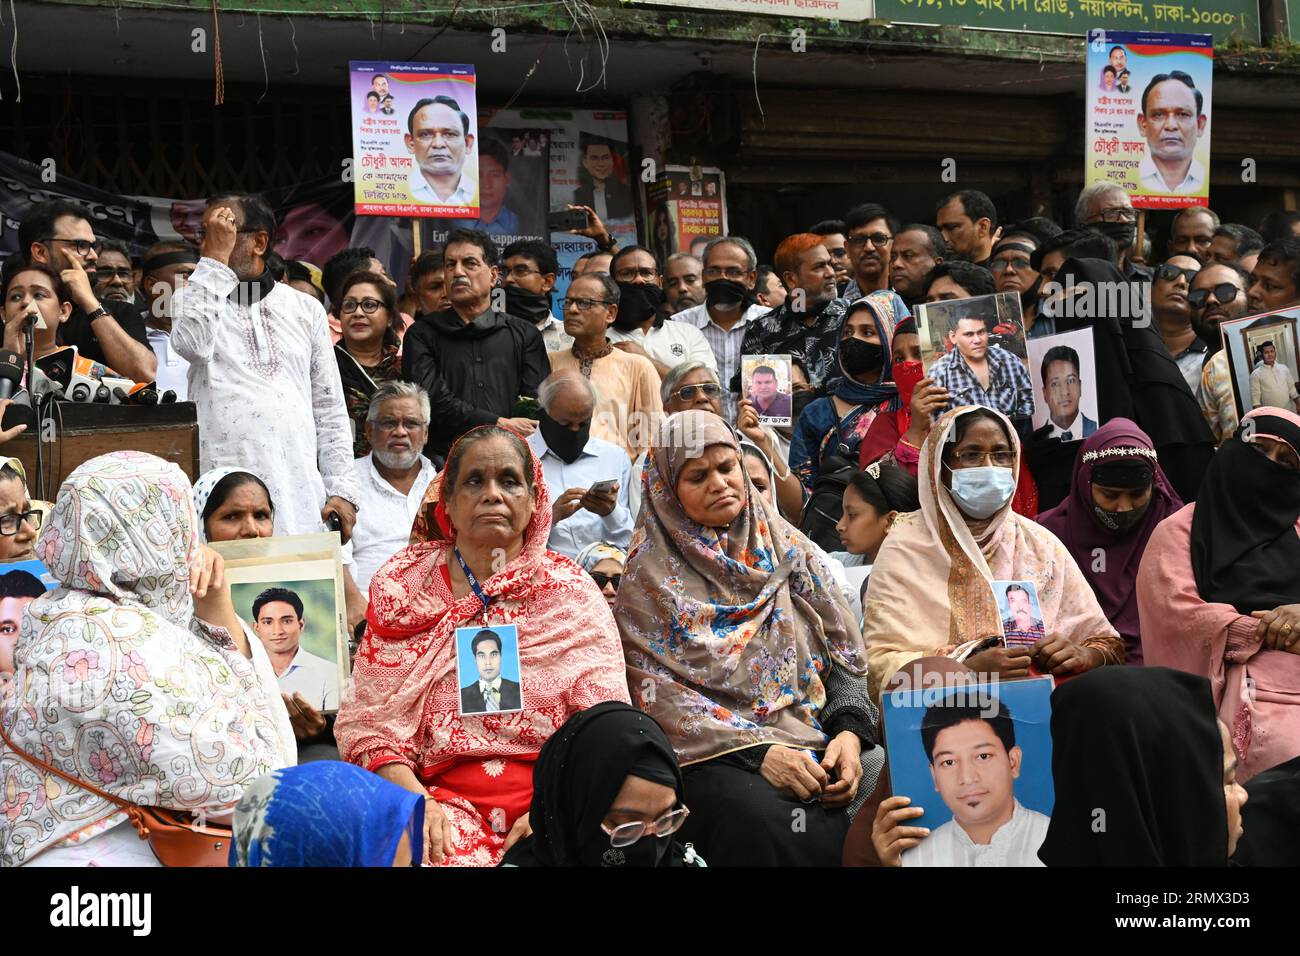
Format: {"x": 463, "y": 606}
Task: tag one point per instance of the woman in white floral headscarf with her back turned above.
{"x": 132, "y": 676}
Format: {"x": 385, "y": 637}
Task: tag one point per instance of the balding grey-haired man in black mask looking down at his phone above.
{"x": 574, "y": 461}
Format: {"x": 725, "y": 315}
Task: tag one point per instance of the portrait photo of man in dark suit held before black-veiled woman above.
{"x": 1065, "y": 384}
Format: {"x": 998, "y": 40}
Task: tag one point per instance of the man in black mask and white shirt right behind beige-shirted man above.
{"x": 643, "y": 327}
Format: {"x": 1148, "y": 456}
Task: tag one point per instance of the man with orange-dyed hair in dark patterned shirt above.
{"x": 808, "y": 326}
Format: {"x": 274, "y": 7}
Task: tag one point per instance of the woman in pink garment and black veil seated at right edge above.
{"x": 1219, "y": 589}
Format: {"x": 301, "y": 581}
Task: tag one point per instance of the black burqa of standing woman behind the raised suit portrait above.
{"x": 1137, "y": 379}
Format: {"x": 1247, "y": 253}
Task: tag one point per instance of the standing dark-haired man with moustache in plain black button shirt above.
{"x": 474, "y": 361}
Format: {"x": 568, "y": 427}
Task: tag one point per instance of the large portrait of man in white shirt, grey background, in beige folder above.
{"x": 289, "y": 592}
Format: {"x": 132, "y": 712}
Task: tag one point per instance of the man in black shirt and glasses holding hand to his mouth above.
{"x": 59, "y": 235}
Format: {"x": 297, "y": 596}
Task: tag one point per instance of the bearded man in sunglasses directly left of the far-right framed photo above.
{"x": 1216, "y": 297}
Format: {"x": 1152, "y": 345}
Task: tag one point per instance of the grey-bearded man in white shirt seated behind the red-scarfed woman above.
{"x": 392, "y": 482}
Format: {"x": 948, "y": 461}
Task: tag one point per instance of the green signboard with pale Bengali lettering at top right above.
{"x": 1224, "y": 19}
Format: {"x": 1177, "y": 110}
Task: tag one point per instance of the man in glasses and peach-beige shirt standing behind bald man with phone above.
{"x": 630, "y": 408}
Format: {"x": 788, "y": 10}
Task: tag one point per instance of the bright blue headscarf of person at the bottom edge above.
{"x": 326, "y": 814}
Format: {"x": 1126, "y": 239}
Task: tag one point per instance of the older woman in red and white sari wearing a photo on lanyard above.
{"x": 478, "y": 560}
